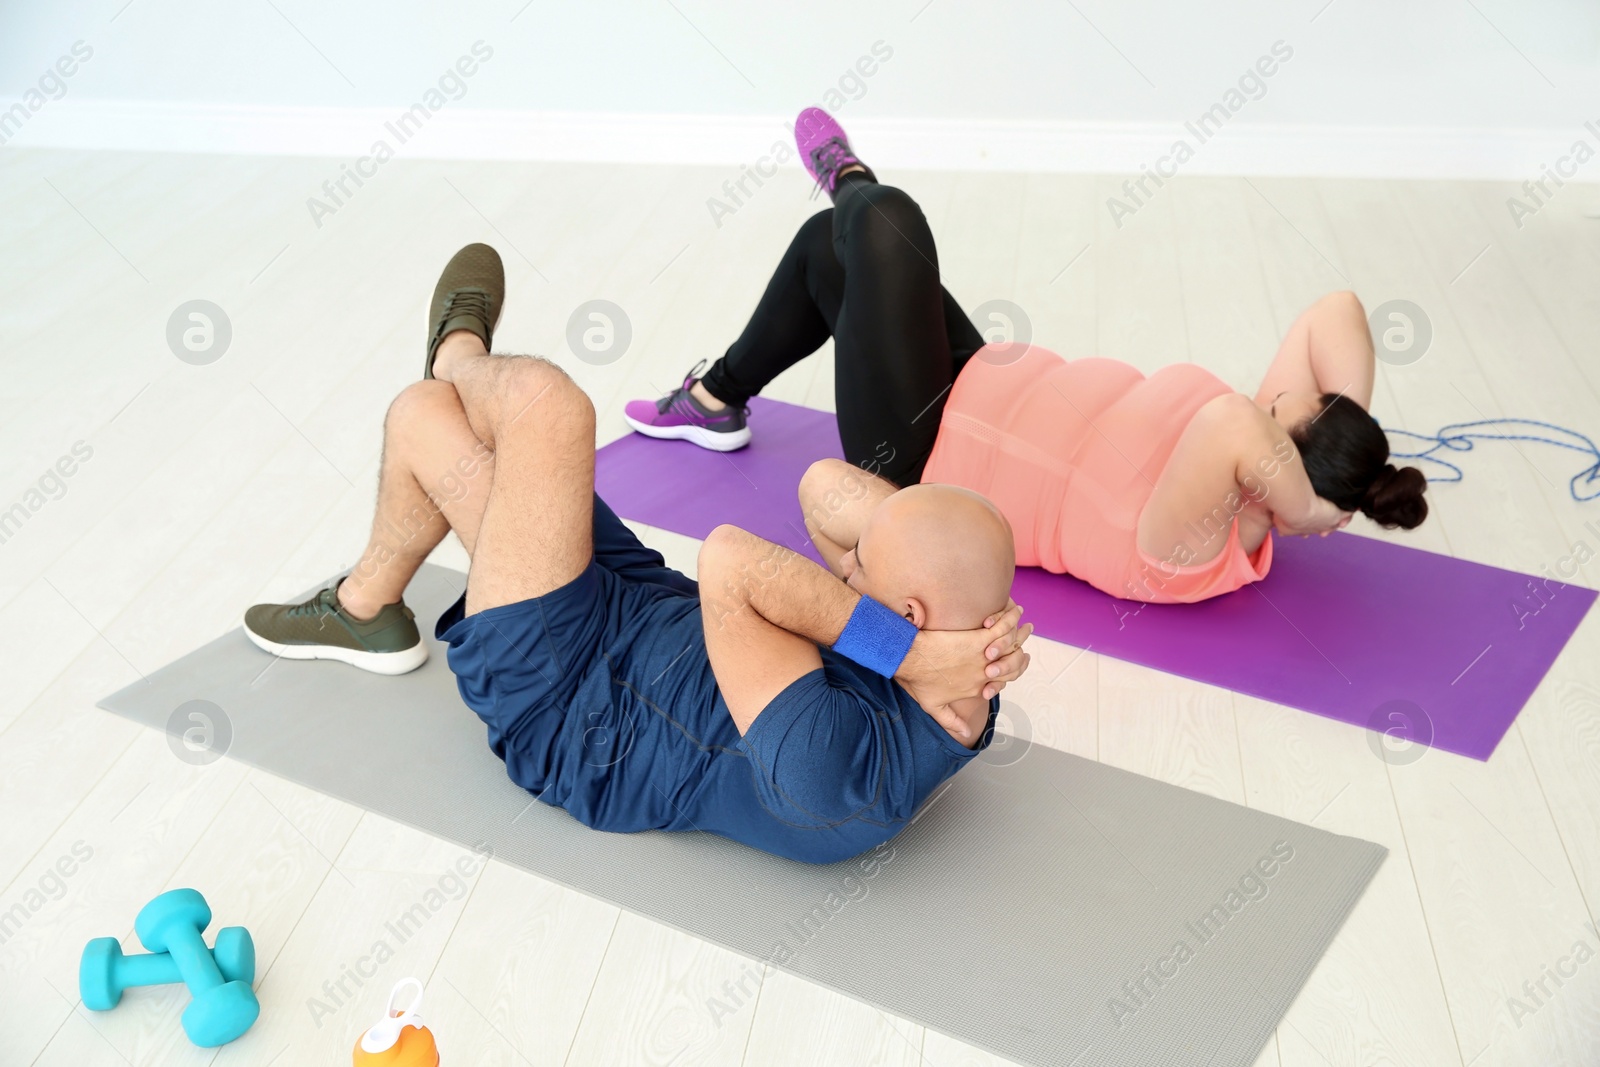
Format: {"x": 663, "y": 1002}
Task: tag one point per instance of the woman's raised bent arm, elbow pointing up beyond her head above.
{"x": 1329, "y": 350}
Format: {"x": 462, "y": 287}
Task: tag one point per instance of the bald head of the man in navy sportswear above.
{"x": 938, "y": 551}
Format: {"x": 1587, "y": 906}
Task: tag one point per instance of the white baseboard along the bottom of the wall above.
{"x": 1241, "y": 148}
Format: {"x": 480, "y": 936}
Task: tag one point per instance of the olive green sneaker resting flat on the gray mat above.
{"x": 321, "y": 629}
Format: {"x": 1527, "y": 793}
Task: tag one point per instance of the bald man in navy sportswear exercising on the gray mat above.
{"x": 617, "y": 689}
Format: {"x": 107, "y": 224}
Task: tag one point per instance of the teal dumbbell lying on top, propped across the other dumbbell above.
{"x": 222, "y": 1010}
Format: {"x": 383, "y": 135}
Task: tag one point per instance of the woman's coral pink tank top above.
{"x": 1070, "y": 452}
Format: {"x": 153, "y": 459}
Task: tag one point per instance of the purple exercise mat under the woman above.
{"x": 1430, "y": 649}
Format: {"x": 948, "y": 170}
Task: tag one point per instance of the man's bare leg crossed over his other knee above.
{"x": 537, "y": 530}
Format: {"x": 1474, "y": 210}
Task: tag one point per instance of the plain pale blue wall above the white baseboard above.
{"x": 1422, "y": 63}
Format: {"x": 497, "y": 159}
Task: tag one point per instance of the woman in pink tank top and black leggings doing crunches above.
{"x": 1162, "y": 489}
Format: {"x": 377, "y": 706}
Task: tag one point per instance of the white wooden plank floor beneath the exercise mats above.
{"x": 214, "y": 487}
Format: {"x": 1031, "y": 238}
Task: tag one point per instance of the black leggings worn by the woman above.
{"x": 865, "y": 273}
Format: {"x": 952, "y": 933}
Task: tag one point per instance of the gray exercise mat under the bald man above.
{"x": 1042, "y": 906}
